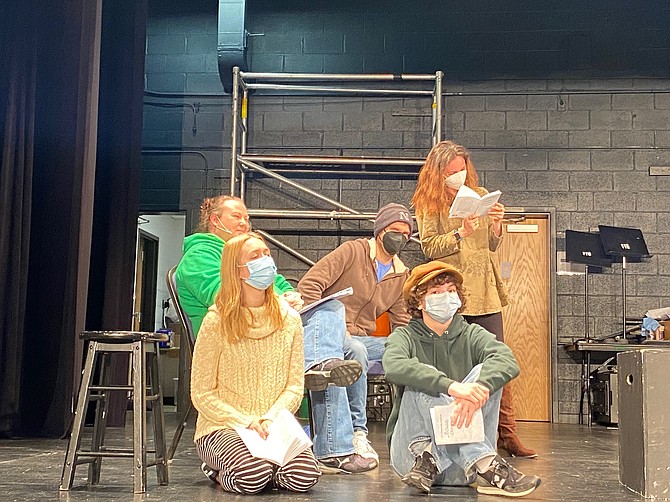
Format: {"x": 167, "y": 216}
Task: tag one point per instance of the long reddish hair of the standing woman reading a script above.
{"x": 431, "y": 193}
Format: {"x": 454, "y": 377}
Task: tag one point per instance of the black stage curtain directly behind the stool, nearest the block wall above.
{"x": 110, "y": 299}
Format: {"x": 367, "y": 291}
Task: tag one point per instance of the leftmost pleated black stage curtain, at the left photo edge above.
{"x": 17, "y": 129}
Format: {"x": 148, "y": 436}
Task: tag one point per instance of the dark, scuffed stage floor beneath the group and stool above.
{"x": 575, "y": 463}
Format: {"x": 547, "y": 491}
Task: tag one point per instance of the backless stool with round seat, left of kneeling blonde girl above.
{"x": 144, "y": 354}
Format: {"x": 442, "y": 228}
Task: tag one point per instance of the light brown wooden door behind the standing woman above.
{"x": 525, "y": 266}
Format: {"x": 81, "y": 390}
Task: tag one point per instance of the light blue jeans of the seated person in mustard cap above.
{"x": 413, "y": 433}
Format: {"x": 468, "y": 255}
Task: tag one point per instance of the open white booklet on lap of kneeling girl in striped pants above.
{"x": 286, "y": 440}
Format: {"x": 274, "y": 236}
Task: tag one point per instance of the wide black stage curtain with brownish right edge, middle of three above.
{"x": 65, "y": 96}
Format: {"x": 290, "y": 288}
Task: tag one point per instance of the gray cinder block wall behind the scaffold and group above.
{"x": 576, "y": 142}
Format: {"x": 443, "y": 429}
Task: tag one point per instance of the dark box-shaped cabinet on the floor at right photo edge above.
{"x": 644, "y": 422}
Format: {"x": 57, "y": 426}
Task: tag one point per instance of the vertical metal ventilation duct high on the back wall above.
{"x": 231, "y": 47}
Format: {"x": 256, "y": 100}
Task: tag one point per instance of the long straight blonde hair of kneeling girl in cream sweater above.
{"x": 236, "y": 318}
